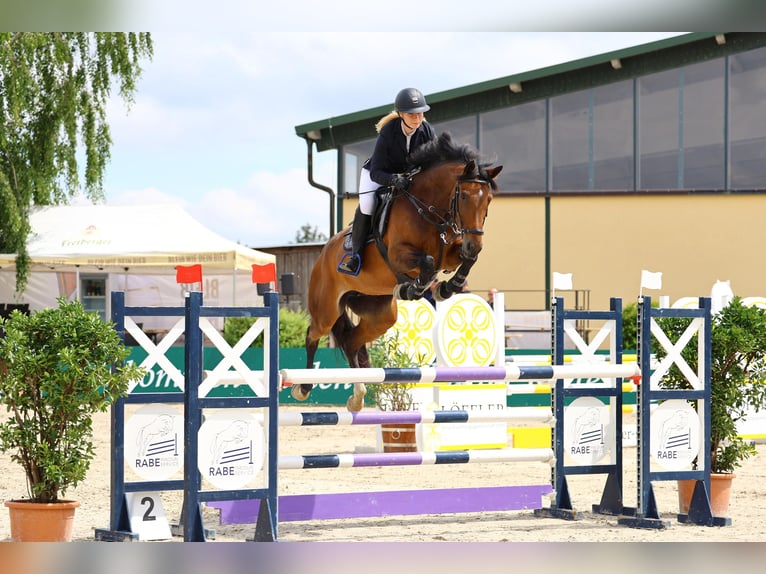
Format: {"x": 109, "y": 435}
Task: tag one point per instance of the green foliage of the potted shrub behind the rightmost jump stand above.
{"x": 738, "y": 366}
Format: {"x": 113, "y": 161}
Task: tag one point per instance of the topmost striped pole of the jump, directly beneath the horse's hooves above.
{"x": 458, "y": 374}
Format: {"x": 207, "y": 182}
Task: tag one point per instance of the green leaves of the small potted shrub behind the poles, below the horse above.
{"x": 386, "y": 351}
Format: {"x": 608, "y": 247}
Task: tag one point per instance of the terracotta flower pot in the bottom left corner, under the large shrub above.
{"x": 41, "y": 521}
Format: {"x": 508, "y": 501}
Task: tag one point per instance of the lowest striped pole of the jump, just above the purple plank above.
{"x": 416, "y": 458}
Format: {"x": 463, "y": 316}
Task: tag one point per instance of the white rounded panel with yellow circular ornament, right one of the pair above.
{"x": 466, "y": 332}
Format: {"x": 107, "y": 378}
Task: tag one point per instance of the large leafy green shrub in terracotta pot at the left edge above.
{"x": 58, "y": 367}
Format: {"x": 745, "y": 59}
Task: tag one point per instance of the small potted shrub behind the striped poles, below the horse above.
{"x": 387, "y": 351}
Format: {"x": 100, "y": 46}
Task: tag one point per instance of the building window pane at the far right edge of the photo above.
{"x": 747, "y": 120}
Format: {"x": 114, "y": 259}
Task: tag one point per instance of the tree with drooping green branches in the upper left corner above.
{"x": 54, "y": 87}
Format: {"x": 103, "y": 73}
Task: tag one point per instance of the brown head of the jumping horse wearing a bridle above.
{"x": 474, "y": 190}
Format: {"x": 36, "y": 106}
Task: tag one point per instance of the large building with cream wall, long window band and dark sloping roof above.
{"x": 652, "y": 157}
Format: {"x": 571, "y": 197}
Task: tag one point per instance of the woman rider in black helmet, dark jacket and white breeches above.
{"x": 400, "y": 132}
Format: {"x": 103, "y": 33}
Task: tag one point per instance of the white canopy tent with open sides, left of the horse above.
{"x": 129, "y": 242}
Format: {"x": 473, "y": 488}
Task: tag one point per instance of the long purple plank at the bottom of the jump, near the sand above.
{"x": 394, "y": 503}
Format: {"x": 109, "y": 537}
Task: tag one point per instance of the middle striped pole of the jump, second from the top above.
{"x": 339, "y": 418}
